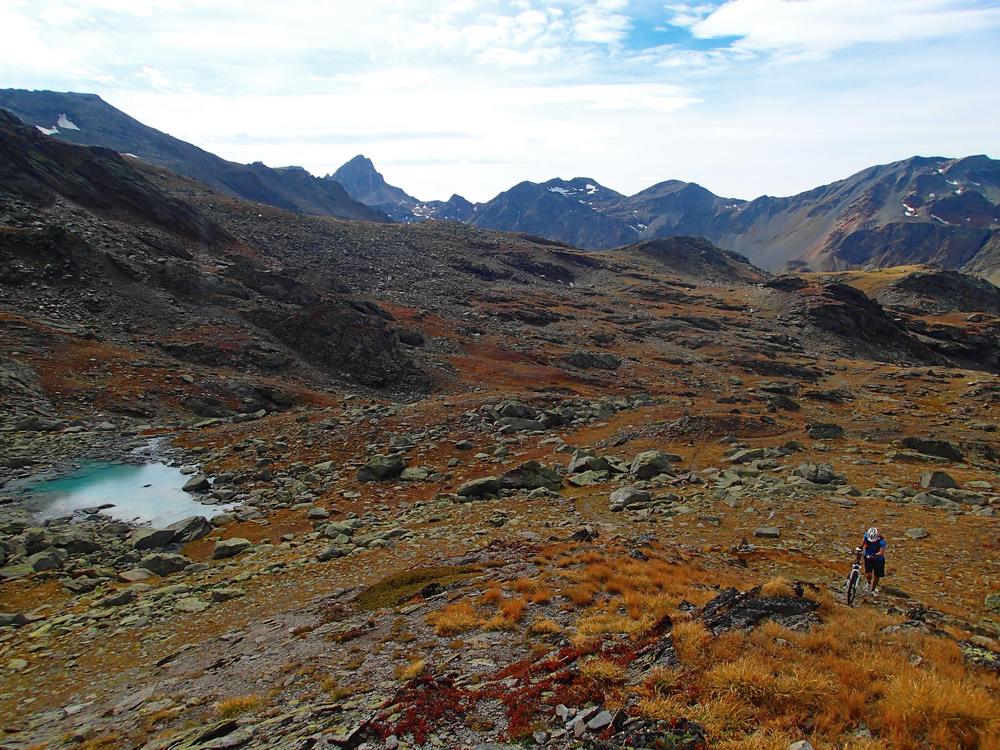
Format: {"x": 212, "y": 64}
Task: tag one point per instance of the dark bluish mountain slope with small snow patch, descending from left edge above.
{"x": 89, "y": 120}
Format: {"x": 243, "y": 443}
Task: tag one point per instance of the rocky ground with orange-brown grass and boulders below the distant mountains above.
{"x": 480, "y": 490}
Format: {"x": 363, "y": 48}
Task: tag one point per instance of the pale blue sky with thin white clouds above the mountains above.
{"x": 746, "y": 97}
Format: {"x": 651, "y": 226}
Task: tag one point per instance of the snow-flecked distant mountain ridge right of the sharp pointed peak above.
{"x": 920, "y": 210}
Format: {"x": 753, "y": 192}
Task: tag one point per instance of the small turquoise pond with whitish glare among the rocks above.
{"x": 138, "y": 493}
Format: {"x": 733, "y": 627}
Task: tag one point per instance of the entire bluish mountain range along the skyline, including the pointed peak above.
{"x": 933, "y": 210}
